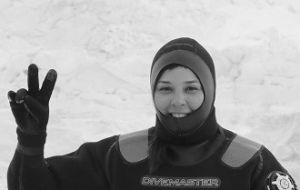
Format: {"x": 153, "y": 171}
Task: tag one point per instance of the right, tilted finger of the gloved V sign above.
{"x": 48, "y": 86}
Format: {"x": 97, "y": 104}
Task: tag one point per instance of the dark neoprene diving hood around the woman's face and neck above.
{"x": 200, "y": 125}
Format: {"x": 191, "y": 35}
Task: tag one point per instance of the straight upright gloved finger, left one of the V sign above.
{"x": 33, "y": 79}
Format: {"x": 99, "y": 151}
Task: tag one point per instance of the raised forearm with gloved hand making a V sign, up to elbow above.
{"x": 28, "y": 169}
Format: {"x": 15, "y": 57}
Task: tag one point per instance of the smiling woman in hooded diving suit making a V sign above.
{"x": 185, "y": 149}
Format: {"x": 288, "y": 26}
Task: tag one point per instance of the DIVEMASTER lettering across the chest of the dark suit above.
{"x": 181, "y": 182}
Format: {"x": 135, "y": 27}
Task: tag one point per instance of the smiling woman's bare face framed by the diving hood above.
{"x": 178, "y": 92}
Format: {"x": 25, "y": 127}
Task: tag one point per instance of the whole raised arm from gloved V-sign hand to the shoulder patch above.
{"x": 28, "y": 170}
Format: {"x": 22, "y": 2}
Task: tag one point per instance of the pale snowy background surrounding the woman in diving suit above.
{"x": 102, "y": 51}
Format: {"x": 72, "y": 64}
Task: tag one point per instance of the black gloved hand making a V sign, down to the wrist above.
{"x": 31, "y": 108}
